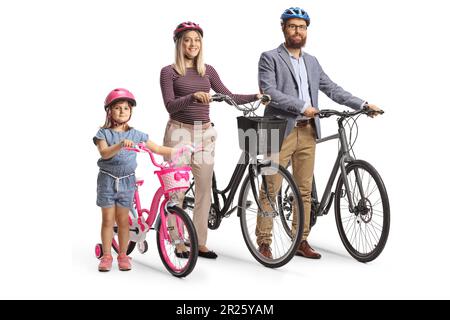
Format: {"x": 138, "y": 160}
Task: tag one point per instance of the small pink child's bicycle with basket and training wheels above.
{"x": 173, "y": 226}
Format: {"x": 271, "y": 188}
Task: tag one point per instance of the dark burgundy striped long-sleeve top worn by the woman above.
{"x": 178, "y": 93}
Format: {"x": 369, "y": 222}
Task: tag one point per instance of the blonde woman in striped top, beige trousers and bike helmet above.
{"x": 185, "y": 87}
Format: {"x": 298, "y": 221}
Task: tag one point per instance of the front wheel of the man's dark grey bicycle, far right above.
{"x": 364, "y": 231}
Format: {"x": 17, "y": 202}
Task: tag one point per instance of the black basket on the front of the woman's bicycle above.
{"x": 261, "y": 135}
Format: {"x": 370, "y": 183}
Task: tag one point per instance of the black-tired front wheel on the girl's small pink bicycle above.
{"x": 166, "y": 249}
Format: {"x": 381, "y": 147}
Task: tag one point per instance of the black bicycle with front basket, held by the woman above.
{"x": 258, "y": 136}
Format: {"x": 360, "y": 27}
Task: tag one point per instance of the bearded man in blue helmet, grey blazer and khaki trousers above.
{"x": 293, "y": 79}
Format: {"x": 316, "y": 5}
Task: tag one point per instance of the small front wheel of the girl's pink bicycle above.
{"x": 177, "y": 232}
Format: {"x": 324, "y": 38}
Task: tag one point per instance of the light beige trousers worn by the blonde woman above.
{"x": 202, "y": 164}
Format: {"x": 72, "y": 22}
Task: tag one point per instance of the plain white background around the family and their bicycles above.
{"x": 59, "y": 59}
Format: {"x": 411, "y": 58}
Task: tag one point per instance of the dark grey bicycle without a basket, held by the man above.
{"x": 361, "y": 203}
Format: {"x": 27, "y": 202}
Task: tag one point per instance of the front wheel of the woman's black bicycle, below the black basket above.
{"x": 271, "y": 238}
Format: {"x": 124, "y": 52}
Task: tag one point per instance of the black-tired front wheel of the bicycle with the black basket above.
{"x": 279, "y": 258}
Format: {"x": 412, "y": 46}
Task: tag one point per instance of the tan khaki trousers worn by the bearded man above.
{"x": 298, "y": 147}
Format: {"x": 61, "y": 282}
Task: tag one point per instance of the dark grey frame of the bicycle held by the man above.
{"x": 342, "y": 159}
